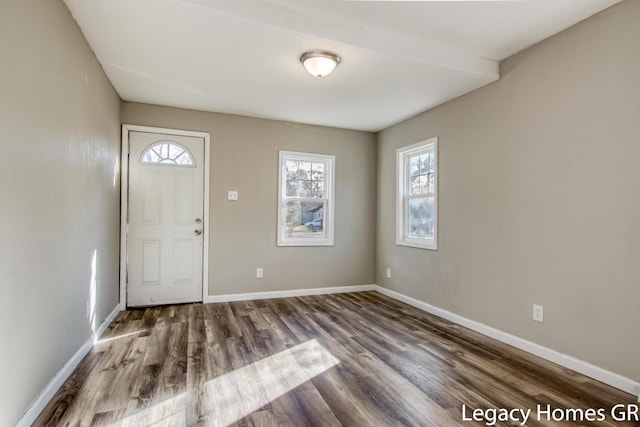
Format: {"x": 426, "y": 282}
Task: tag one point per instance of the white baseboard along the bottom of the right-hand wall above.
{"x": 611, "y": 378}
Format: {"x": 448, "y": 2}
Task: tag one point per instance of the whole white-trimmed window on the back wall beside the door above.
{"x": 305, "y": 206}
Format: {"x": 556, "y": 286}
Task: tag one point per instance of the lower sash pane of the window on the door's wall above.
{"x": 304, "y": 219}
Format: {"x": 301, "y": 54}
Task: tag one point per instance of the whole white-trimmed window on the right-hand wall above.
{"x": 417, "y": 195}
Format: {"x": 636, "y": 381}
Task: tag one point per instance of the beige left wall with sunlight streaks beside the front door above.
{"x": 60, "y": 139}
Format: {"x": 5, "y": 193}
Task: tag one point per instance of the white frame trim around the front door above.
{"x": 124, "y": 202}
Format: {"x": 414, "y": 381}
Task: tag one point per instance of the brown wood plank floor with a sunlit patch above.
{"x": 359, "y": 359}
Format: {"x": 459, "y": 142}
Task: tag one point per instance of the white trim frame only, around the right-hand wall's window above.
{"x": 402, "y": 154}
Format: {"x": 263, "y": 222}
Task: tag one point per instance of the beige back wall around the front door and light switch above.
{"x": 244, "y": 157}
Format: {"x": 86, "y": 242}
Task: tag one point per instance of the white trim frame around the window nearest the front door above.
{"x": 328, "y": 219}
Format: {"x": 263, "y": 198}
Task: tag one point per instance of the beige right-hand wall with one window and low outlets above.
{"x": 539, "y": 198}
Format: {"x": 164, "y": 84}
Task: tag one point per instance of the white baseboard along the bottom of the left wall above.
{"x": 63, "y": 374}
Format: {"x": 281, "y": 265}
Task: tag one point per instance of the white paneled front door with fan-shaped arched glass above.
{"x": 165, "y": 219}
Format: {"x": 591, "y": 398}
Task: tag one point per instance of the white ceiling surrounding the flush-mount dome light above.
{"x": 399, "y": 58}
